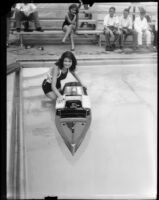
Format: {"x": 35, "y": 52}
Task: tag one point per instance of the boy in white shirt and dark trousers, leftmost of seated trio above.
{"x": 111, "y": 29}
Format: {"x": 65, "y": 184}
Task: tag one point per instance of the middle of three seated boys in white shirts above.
{"x": 125, "y": 25}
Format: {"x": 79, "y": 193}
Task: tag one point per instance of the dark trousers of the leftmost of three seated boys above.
{"x": 115, "y": 32}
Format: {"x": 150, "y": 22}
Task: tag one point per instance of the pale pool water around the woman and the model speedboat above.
{"x": 117, "y": 158}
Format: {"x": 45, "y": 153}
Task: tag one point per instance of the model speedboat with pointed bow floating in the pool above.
{"x": 73, "y": 115}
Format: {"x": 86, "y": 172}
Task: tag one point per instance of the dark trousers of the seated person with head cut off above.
{"x": 20, "y": 16}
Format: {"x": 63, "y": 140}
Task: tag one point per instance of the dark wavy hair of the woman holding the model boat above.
{"x": 70, "y": 55}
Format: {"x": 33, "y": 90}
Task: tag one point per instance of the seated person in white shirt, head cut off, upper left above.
{"x": 26, "y": 12}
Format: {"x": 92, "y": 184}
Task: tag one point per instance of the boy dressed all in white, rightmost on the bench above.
{"x": 142, "y": 27}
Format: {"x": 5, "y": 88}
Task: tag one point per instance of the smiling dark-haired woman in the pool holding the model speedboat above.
{"x": 52, "y": 84}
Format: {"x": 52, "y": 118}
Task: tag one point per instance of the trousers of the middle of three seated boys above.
{"x": 124, "y": 34}
